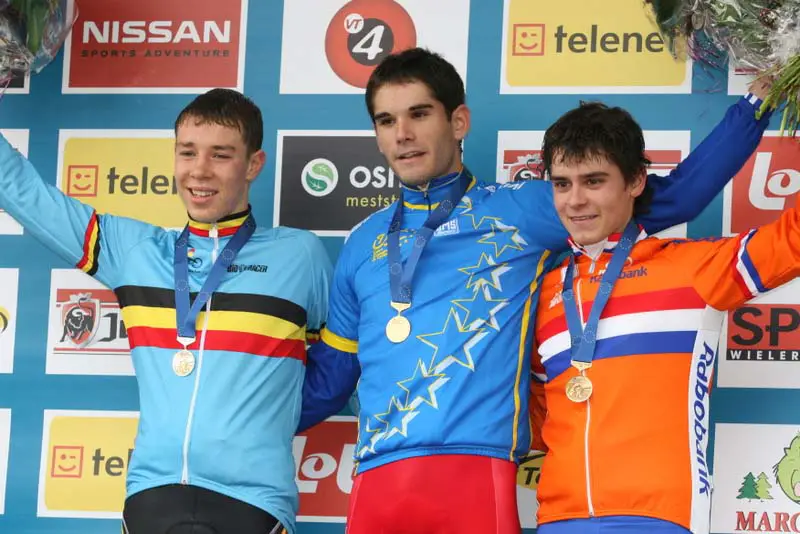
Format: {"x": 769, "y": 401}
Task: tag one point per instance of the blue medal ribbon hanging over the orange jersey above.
{"x": 583, "y": 340}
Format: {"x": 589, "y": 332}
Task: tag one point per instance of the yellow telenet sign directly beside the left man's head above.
{"x": 122, "y": 172}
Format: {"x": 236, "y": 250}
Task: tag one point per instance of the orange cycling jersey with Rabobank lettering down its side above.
{"x": 638, "y": 445}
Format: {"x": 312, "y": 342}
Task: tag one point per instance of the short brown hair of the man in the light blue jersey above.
{"x": 230, "y": 108}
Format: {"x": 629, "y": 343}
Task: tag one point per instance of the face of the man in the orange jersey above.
{"x": 592, "y": 197}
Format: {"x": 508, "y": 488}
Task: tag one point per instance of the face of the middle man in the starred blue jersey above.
{"x": 414, "y": 133}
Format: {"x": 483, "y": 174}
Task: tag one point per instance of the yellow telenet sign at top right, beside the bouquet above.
{"x": 572, "y": 45}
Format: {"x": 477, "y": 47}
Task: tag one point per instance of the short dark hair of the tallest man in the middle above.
{"x": 418, "y": 65}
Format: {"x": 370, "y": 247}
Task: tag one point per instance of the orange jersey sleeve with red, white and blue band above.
{"x": 737, "y": 269}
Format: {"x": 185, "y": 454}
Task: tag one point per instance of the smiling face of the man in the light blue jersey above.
{"x": 213, "y": 170}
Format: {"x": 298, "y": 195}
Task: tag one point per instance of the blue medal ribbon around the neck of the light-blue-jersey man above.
{"x": 186, "y": 315}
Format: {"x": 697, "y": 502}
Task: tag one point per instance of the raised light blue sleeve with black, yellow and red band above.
{"x": 74, "y": 231}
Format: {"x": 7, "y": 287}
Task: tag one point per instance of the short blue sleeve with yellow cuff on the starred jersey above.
{"x": 341, "y": 330}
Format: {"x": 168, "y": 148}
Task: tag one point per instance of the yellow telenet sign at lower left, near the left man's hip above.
{"x": 85, "y": 457}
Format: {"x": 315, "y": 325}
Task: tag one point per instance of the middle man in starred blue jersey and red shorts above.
{"x": 431, "y": 304}
